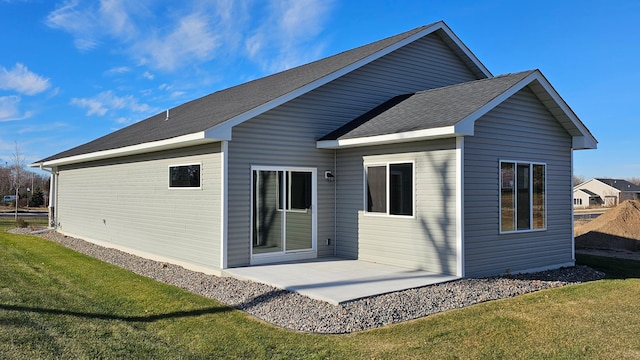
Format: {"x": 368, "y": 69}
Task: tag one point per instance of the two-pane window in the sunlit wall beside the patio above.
{"x": 390, "y": 189}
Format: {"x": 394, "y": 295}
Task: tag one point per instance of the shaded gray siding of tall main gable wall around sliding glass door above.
{"x": 286, "y": 136}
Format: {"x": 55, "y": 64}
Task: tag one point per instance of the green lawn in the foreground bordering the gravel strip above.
{"x": 55, "y": 303}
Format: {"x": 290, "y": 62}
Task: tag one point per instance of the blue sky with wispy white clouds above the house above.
{"x": 71, "y": 71}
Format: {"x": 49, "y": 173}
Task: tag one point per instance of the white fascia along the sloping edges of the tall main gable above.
{"x": 223, "y": 130}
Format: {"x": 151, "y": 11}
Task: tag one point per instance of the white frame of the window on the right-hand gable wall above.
{"x": 515, "y": 185}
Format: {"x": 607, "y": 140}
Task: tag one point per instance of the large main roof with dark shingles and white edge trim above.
{"x": 223, "y": 106}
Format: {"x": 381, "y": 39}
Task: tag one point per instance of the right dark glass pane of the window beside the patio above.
{"x": 401, "y": 189}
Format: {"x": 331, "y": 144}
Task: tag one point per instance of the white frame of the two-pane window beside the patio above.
{"x": 387, "y": 165}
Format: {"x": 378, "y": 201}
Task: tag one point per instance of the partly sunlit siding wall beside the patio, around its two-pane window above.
{"x": 425, "y": 241}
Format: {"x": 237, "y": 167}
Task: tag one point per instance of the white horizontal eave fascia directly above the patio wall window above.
{"x": 418, "y": 135}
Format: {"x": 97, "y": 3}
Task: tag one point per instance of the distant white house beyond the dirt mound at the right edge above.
{"x": 604, "y": 192}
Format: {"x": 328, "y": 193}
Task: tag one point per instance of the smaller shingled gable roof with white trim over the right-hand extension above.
{"x": 452, "y": 111}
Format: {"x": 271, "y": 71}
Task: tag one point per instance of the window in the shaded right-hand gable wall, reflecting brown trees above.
{"x": 522, "y": 196}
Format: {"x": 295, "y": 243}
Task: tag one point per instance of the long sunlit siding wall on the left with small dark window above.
{"x": 126, "y": 202}
